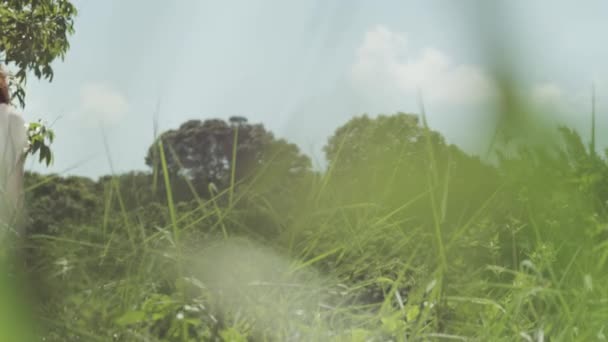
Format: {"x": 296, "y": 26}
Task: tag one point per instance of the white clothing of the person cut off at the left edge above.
{"x": 13, "y": 141}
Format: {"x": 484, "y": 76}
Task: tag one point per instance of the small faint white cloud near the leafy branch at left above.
{"x": 102, "y": 102}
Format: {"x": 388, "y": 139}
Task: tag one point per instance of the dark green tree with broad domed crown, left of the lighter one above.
{"x": 203, "y": 152}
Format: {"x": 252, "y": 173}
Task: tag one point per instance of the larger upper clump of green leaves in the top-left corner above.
{"x": 33, "y": 34}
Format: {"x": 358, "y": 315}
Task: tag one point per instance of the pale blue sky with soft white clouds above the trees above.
{"x": 303, "y": 68}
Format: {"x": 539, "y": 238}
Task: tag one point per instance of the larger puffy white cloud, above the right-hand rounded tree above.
{"x": 384, "y": 63}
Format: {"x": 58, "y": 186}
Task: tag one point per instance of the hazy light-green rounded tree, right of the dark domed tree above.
{"x": 392, "y": 159}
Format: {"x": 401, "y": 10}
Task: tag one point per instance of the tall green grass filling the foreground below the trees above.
{"x": 337, "y": 272}
